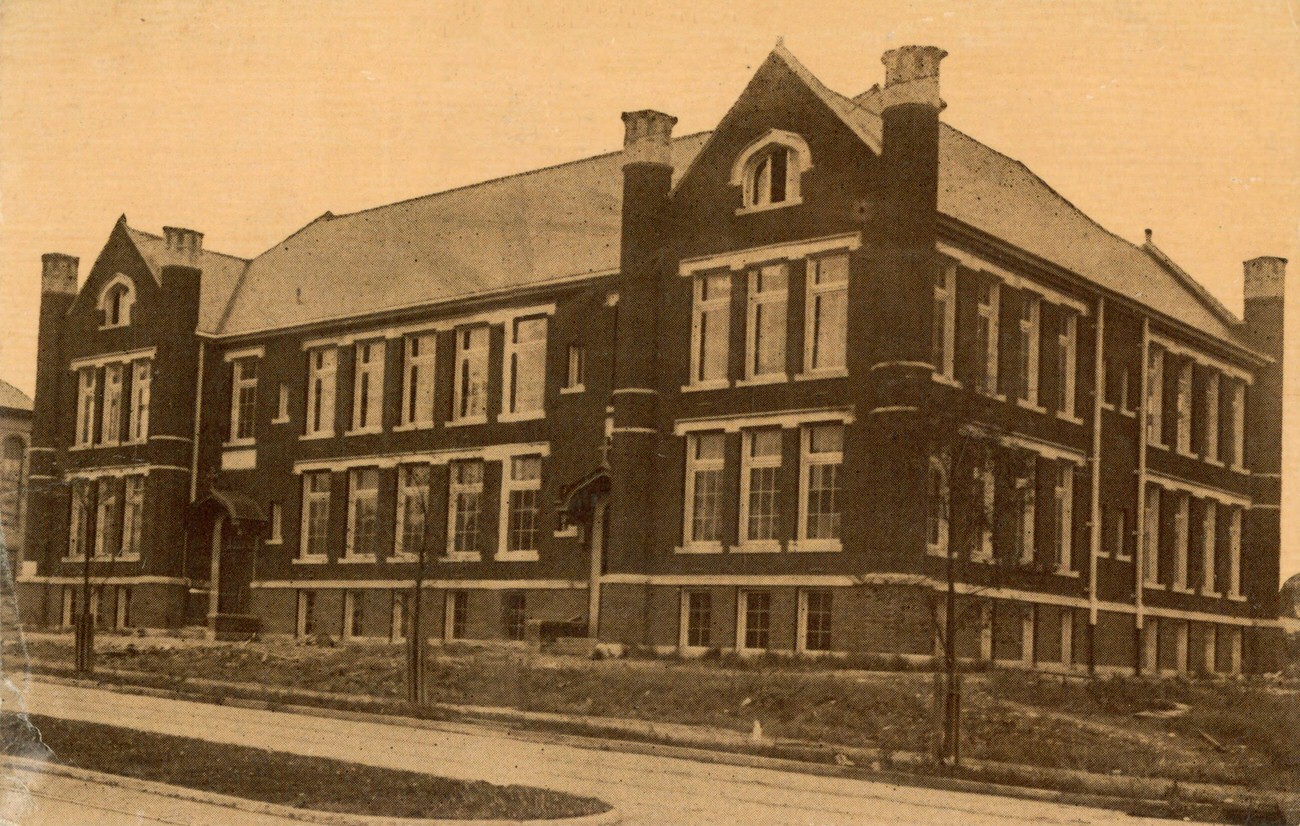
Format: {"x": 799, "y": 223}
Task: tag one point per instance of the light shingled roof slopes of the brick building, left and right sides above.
{"x": 562, "y": 222}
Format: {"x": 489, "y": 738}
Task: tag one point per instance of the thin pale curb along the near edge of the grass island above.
{"x": 258, "y": 807}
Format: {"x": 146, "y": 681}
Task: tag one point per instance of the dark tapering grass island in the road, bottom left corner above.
{"x": 278, "y": 777}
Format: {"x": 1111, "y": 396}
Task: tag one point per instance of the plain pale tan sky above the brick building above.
{"x": 248, "y": 120}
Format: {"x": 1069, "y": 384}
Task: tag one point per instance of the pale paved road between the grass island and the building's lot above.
{"x": 648, "y": 789}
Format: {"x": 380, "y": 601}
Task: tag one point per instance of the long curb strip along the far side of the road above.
{"x": 1234, "y": 805}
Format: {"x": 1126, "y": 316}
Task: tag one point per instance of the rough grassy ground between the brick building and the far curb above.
{"x": 1008, "y": 716}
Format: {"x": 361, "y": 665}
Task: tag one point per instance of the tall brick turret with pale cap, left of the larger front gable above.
{"x": 647, "y": 267}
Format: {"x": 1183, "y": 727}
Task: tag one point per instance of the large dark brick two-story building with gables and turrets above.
{"x": 749, "y": 390}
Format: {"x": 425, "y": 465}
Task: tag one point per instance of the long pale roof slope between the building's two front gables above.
{"x": 519, "y": 231}
